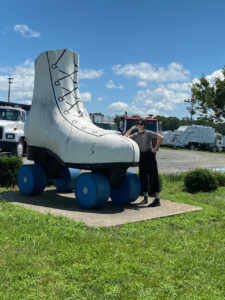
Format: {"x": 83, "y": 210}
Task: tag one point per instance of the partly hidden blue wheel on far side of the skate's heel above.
{"x": 67, "y": 181}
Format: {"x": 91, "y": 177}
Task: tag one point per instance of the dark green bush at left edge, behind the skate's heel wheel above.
{"x": 9, "y": 167}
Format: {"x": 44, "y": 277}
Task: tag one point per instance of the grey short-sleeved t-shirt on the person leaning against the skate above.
{"x": 144, "y": 139}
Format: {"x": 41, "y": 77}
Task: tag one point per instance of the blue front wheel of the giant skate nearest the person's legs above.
{"x": 129, "y": 190}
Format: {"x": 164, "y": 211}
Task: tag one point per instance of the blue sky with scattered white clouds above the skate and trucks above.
{"x": 135, "y": 56}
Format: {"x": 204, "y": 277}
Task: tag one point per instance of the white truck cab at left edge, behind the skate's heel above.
{"x": 12, "y": 136}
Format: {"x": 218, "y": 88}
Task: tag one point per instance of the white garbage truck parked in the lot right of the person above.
{"x": 196, "y": 136}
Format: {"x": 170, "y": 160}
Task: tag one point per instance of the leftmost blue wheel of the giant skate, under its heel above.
{"x": 31, "y": 179}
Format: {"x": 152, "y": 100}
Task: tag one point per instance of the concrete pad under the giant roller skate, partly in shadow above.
{"x": 65, "y": 204}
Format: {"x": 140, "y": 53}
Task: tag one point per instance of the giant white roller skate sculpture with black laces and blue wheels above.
{"x": 62, "y": 139}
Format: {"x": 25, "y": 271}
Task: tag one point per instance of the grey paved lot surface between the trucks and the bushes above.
{"x": 175, "y": 161}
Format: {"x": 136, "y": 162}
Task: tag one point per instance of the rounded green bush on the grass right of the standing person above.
{"x": 200, "y": 180}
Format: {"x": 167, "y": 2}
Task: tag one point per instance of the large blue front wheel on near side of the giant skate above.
{"x": 92, "y": 190}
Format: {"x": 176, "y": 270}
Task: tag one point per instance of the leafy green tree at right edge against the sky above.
{"x": 207, "y": 100}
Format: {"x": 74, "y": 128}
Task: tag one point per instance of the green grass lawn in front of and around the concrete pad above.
{"x": 180, "y": 257}
